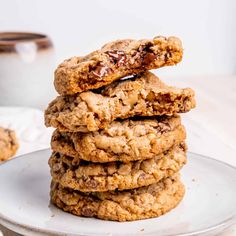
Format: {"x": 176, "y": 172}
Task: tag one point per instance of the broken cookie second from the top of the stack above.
{"x": 143, "y": 95}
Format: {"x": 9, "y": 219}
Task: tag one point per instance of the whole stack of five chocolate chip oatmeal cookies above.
{"x": 119, "y": 142}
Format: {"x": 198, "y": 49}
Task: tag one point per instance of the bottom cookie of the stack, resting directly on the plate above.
{"x": 142, "y": 203}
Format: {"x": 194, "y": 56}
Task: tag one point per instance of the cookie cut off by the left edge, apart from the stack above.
{"x": 8, "y": 144}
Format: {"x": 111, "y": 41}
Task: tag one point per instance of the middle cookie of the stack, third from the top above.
{"x": 127, "y": 140}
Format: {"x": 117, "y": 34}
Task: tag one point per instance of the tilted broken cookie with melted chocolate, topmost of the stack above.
{"x": 116, "y": 60}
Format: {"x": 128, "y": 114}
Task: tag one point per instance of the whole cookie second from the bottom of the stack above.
{"x": 95, "y": 177}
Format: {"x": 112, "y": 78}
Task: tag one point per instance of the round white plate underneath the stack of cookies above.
{"x": 209, "y": 205}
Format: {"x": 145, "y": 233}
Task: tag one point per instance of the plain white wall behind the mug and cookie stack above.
{"x": 207, "y": 28}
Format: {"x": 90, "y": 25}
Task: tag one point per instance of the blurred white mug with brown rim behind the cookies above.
{"x": 26, "y": 69}
